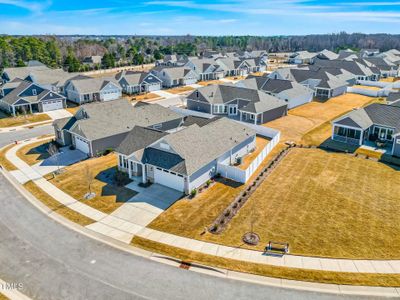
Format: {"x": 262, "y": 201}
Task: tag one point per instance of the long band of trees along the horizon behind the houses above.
{"x": 68, "y": 52}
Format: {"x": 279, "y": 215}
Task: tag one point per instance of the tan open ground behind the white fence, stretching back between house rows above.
{"x": 305, "y": 118}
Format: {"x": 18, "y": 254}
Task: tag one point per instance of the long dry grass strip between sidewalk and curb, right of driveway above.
{"x": 360, "y": 279}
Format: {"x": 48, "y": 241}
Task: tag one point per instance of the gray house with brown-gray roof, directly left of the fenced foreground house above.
{"x": 99, "y": 126}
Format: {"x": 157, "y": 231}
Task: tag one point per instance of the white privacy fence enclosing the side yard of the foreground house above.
{"x": 242, "y": 176}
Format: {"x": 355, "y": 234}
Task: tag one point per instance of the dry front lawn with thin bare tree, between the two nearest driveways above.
{"x": 75, "y": 183}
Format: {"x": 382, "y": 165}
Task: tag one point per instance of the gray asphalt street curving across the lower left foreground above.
{"x": 54, "y": 262}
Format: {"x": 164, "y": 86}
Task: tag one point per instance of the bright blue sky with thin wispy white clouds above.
{"x": 218, "y": 17}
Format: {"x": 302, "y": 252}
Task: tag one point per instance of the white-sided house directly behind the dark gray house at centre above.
{"x": 294, "y": 94}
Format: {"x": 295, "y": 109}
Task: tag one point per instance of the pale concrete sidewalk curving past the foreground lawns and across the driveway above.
{"x": 123, "y": 230}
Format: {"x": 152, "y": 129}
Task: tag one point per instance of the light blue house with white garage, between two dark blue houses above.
{"x": 92, "y": 89}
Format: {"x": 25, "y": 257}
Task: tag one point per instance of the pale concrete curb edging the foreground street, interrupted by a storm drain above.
{"x": 198, "y": 268}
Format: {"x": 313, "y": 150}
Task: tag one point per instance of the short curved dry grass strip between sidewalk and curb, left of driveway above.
{"x": 56, "y": 206}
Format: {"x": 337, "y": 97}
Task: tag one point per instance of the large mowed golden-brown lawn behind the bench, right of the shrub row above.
{"x": 324, "y": 204}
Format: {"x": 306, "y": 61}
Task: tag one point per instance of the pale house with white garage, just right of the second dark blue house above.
{"x": 175, "y": 76}
